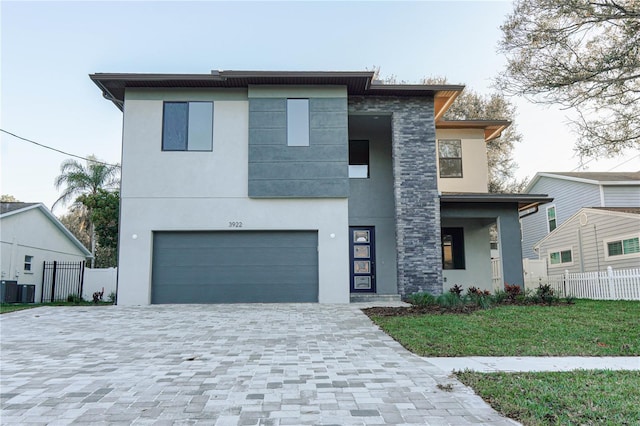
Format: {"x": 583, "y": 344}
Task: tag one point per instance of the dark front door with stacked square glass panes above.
{"x": 362, "y": 256}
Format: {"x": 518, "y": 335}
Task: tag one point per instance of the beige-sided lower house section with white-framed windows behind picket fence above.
{"x": 592, "y": 240}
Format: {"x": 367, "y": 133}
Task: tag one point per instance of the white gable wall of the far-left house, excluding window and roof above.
{"x": 31, "y": 233}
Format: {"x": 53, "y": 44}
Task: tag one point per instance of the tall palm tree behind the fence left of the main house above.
{"x": 77, "y": 179}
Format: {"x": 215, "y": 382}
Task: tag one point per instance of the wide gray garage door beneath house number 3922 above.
{"x": 235, "y": 267}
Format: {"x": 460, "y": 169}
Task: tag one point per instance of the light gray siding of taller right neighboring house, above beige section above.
{"x": 568, "y": 197}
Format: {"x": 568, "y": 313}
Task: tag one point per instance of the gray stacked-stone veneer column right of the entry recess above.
{"x": 417, "y": 203}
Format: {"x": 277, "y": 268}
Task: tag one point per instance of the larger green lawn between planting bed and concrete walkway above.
{"x": 587, "y": 328}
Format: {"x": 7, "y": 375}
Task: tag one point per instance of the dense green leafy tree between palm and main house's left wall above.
{"x": 104, "y": 208}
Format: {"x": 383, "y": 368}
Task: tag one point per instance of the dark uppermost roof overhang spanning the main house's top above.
{"x": 113, "y": 85}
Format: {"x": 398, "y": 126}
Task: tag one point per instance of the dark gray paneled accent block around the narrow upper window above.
{"x": 280, "y": 171}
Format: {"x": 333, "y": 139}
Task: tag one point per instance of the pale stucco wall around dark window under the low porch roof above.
{"x": 477, "y": 253}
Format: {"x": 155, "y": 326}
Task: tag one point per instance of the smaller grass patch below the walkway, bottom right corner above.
{"x": 565, "y": 398}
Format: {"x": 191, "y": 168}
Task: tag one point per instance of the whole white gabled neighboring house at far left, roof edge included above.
{"x": 31, "y": 235}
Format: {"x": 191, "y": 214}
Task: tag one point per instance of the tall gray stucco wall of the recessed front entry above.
{"x": 371, "y": 200}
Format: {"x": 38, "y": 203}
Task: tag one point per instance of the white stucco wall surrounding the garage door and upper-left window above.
{"x": 206, "y": 191}
